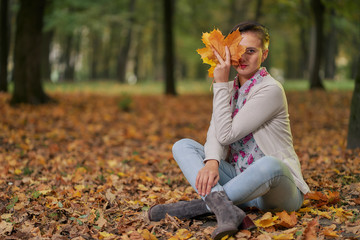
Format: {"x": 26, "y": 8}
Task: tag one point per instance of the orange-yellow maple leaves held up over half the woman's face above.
{"x": 216, "y": 40}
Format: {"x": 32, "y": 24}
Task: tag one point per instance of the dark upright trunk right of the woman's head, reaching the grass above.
{"x": 316, "y": 44}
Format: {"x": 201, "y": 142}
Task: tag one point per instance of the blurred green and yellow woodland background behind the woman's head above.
{"x": 124, "y": 40}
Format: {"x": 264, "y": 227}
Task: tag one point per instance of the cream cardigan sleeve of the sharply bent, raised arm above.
{"x": 261, "y": 106}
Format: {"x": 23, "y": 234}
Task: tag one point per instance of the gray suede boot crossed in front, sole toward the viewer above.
{"x": 228, "y": 216}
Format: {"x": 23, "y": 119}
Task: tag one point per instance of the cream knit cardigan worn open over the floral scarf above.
{"x": 265, "y": 114}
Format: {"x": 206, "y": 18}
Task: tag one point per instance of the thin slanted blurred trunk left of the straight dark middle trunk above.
{"x": 124, "y": 52}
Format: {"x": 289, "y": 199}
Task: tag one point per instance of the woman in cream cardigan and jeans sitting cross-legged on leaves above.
{"x": 248, "y": 159}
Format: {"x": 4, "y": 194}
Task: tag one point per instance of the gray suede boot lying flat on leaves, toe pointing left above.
{"x": 181, "y": 210}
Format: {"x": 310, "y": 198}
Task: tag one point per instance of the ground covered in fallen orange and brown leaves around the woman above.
{"x": 90, "y": 166}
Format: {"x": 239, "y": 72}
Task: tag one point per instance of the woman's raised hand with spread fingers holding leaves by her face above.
{"x": 222, "y": 69}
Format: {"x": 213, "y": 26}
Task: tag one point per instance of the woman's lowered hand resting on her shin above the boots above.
{"x": 207, "y": 177}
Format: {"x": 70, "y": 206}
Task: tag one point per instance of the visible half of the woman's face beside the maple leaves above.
{"x": 253, "y": 57}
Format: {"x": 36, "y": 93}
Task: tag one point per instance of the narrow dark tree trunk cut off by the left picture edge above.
{"x": 4, "y": 44}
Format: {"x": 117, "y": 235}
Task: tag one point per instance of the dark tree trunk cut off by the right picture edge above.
{"x": 353, "y": 140}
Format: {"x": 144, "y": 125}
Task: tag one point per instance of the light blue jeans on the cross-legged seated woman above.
{"x": 266, "y": 184}
